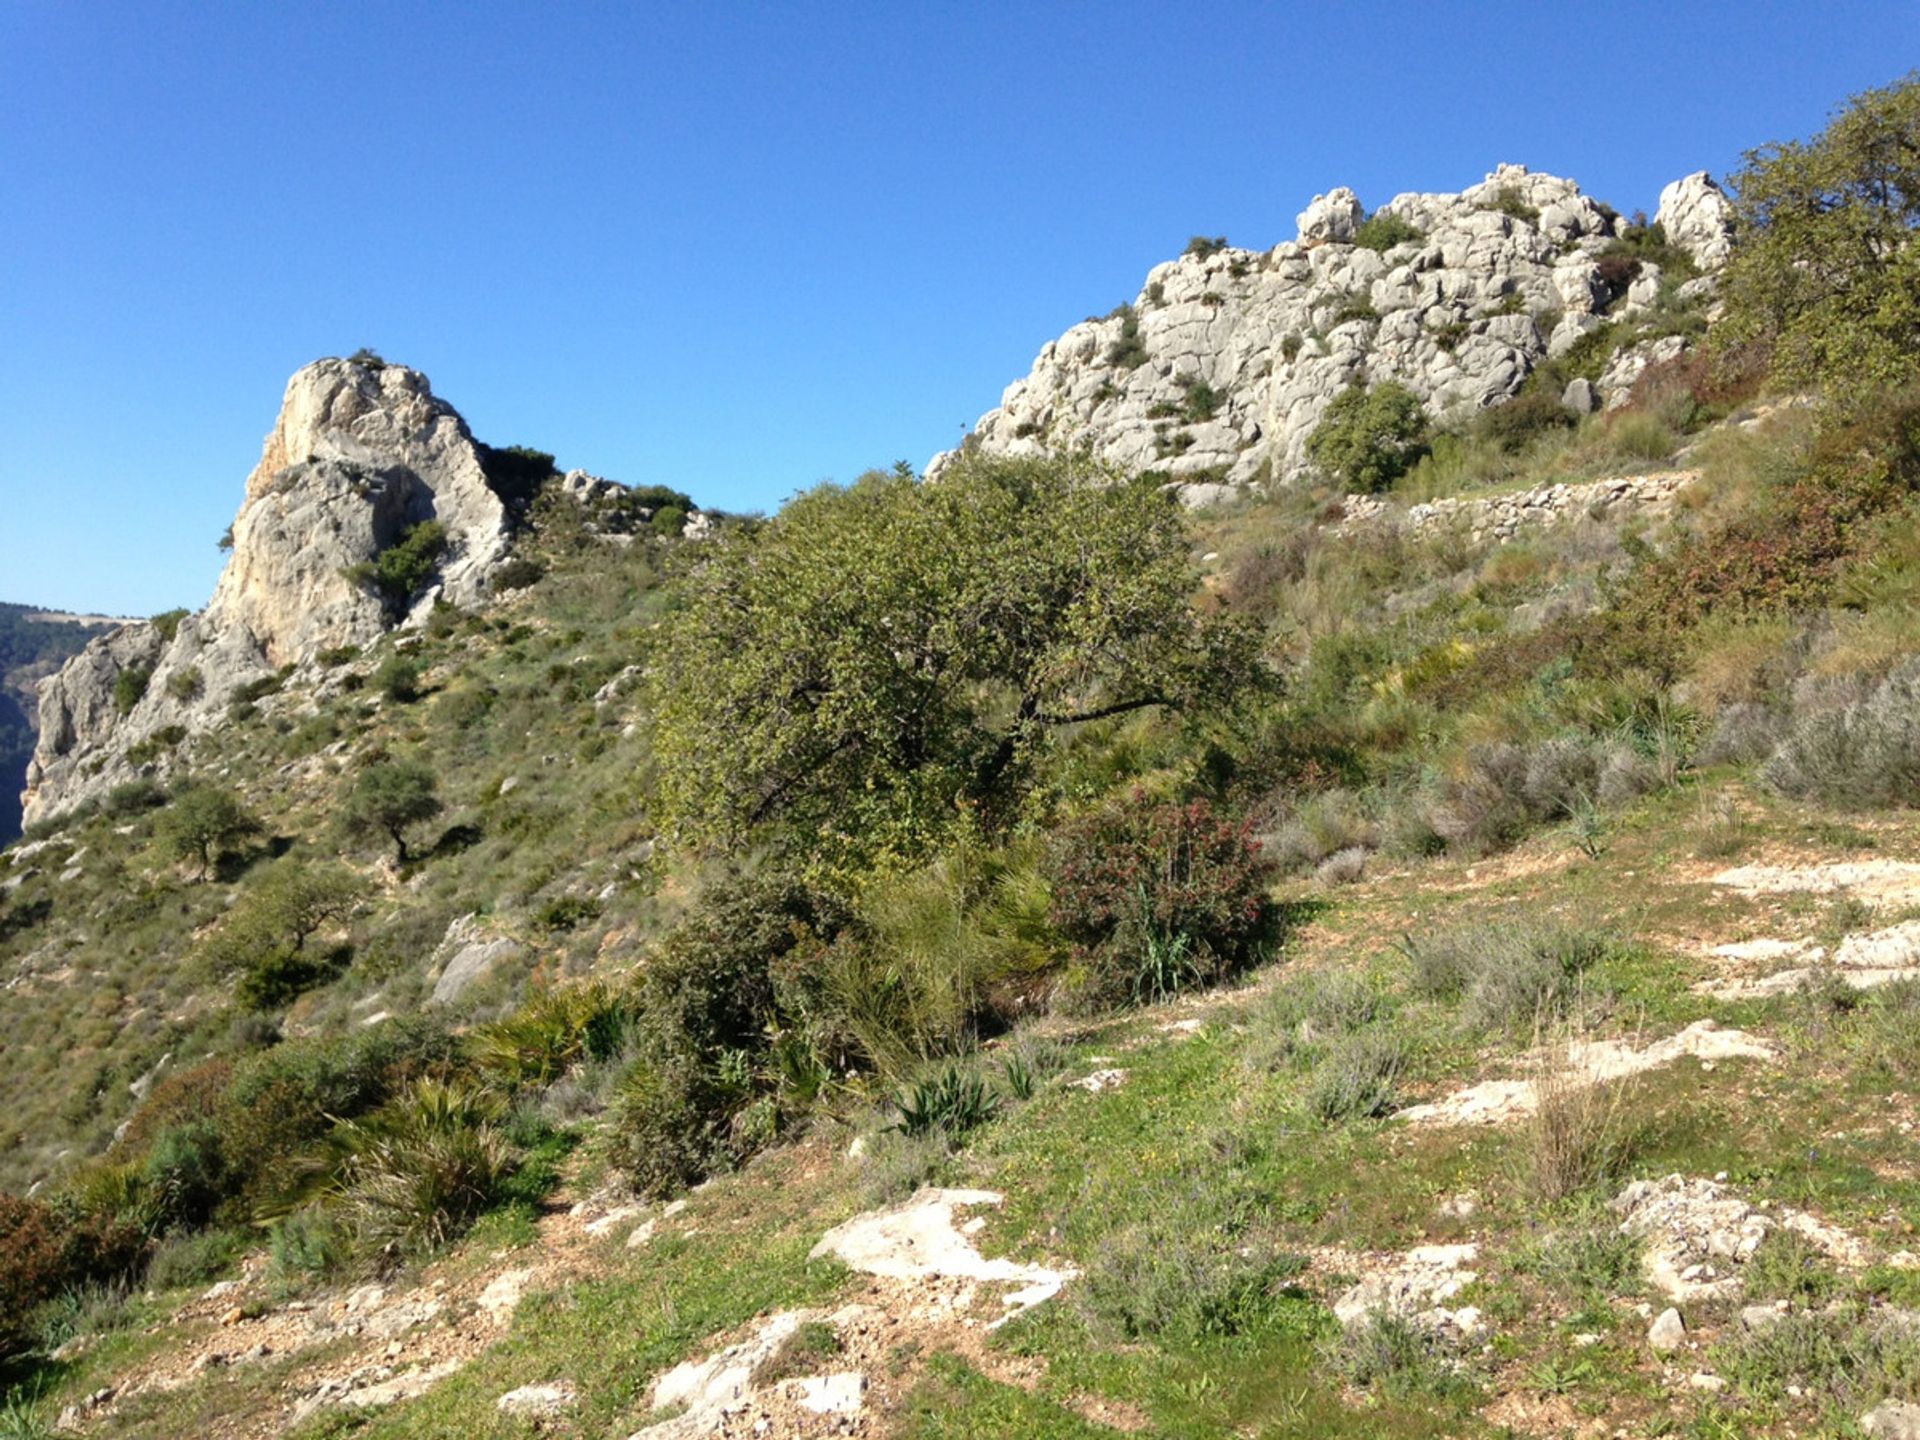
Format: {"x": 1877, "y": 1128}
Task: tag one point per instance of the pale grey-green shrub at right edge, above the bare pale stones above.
{"x": 1861, "y": 756}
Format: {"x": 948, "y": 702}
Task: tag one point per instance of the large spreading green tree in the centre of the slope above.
{"x": 878, "y": 660}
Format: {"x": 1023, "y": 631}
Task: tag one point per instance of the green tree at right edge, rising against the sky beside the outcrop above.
{"x": 1825, "y": 270}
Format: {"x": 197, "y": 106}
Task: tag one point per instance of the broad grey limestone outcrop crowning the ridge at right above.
{"x": 1222, "y": 366}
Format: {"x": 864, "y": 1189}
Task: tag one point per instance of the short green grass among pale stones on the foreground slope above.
{"x": 1088, "y": 1174}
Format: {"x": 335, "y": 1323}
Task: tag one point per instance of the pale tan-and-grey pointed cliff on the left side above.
{"x": 360, "y": 454}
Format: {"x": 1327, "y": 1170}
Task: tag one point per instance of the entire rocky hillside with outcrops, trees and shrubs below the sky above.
{"x": 1431, "y": 959}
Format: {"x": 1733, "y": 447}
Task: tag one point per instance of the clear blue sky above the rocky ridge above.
{"x": 732, "y": 249}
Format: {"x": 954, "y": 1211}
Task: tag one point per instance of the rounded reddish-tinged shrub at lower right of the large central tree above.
{"x": 1157, "y": 896}
